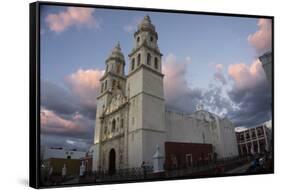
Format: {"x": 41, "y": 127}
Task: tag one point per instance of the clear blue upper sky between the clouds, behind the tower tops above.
{"x": 206, "y": 39}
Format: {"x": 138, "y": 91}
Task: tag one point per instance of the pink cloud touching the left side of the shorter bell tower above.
{"x": 85, "y": 85}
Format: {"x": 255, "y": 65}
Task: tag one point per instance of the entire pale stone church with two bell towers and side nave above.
{"x": 131, "y": 120}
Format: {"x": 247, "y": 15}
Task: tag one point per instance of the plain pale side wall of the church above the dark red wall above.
{"x": 191, "y": 128}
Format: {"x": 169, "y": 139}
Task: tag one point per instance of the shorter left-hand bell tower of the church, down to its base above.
{"x": 113, "y": 79}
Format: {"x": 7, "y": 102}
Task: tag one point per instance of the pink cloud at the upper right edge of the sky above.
{"x": 261, "y": 40}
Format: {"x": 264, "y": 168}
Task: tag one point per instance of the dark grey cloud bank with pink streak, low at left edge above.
{"x": 64, "y": 116}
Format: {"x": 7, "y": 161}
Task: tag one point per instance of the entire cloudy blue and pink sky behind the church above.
{"x": 208, "y": 59}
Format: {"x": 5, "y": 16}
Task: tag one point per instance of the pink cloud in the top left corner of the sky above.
{"x": 71, "y": 16}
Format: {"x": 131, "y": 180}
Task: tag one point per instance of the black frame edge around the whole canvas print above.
{"x": 34, "y": 89}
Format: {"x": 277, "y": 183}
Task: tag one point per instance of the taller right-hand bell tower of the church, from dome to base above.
{"x": 146, "y": 96}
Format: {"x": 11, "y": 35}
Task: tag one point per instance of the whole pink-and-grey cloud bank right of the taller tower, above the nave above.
{"x": 247, "y": 103}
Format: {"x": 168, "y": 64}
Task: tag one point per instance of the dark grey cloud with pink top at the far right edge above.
{"x": 250, "y": 92}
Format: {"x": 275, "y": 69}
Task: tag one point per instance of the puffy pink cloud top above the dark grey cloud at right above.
{"x": 246, "y": 76}
